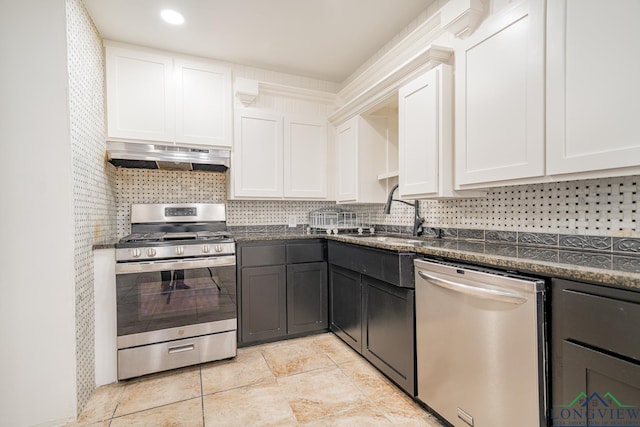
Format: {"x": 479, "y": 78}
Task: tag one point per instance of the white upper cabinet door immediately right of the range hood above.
{"x": 257, "y": 154}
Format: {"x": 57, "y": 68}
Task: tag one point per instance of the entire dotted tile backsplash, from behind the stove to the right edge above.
{"x": 602, "y": 207}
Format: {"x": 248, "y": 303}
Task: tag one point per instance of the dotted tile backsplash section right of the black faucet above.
{"x": 599, "y": 207}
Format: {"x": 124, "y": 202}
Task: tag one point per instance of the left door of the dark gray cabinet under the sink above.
{"x": 345, "y": 315}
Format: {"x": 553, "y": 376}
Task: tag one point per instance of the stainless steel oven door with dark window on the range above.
{"x": 159, "y": 301}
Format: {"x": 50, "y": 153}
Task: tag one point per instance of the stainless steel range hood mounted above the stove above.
{"x": 167, "y": 156}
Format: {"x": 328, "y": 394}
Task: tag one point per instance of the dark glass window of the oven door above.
{"x": 152, "y": 301}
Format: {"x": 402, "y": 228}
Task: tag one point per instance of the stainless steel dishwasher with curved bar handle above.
{"x": 480, "y": 345}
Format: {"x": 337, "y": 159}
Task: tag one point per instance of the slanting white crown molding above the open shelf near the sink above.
{"x": 388, "y": 84}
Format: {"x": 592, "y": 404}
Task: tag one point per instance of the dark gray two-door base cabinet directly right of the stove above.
{"x": 283, "y": 289}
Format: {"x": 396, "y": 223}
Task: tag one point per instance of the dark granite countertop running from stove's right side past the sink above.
{"x": 622, "y": 271}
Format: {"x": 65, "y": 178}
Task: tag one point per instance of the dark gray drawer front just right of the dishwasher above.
{"x": 602, "y": 322}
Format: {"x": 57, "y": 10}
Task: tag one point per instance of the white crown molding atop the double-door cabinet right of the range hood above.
{"x": 247, "y": 90}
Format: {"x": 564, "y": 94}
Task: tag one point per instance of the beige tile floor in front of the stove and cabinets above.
{"x": 311, "y": 381}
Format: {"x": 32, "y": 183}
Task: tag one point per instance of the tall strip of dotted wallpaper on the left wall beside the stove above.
{"x": 94, "y": 198}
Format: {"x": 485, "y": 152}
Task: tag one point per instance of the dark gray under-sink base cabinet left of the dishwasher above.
{"x": 372, "y": 307}
